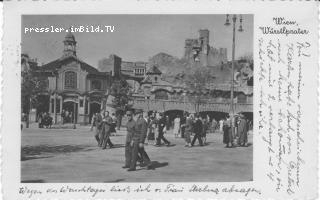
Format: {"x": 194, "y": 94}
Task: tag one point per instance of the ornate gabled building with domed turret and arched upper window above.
{"x": 74, "y": 86}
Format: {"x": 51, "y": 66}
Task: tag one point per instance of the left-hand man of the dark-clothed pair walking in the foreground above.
{"x": 130, "y": 132}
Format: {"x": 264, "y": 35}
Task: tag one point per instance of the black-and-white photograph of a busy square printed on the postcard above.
{"x": 137, "y": 98}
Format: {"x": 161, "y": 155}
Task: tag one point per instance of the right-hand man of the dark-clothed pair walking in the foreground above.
{"x": 137, "y": 143}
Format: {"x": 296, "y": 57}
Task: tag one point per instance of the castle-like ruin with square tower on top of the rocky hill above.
{"x": 198, "y": 51}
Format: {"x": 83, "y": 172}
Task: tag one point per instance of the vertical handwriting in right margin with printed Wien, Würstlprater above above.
{"x": 281, "y": 60}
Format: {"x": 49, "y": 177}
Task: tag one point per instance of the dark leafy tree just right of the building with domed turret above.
{"x": 121, "y": 92}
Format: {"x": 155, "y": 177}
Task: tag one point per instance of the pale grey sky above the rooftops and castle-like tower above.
{"x": 135, "y": 38}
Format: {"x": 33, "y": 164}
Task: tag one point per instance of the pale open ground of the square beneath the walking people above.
{"x": 72, "y": 155}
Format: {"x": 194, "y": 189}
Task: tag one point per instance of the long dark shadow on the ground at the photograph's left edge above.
{"x": 33, "y": 152}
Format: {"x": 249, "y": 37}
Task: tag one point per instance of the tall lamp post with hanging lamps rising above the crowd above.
{"x": 234, "y": 20}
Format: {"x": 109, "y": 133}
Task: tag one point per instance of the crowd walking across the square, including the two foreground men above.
{"x": 141, "y": 127}
